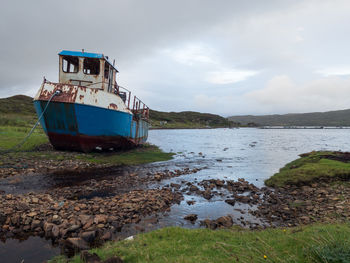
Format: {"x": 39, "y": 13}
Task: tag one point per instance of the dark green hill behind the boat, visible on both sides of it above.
{"x": 14, "y": 108}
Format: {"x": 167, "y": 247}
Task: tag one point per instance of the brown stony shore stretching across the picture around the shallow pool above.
{"x": 101, "y": 202}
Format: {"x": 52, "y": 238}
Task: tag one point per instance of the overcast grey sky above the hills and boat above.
{"x": 225, "y": 57}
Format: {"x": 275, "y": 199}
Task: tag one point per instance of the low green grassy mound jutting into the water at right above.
{"x": 309, "y": 168}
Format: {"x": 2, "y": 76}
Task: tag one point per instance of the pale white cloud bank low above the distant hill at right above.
{"x": 282, "y": 95}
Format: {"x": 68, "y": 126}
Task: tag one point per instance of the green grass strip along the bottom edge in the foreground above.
{"x": 313, "y": 243}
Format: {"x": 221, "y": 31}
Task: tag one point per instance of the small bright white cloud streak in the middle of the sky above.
{"x": 229, "y": 76}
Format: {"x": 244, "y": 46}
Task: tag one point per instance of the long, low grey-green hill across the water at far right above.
{"x": 329, "y": 118}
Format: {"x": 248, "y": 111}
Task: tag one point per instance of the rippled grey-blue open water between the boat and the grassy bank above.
{"x": 247, "y": 152}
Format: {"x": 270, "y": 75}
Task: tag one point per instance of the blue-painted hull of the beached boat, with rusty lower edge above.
{"x": 72, "y": 126}
